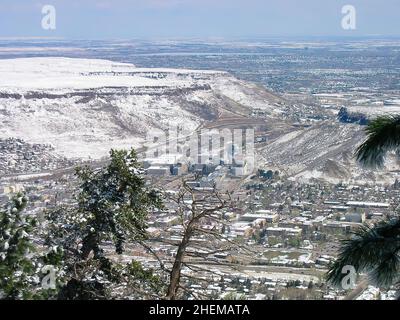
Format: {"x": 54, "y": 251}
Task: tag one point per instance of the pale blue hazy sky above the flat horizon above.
{"x": 197, "y": 18}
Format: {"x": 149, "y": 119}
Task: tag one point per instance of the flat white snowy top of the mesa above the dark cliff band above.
{"x": 31, "y": 74}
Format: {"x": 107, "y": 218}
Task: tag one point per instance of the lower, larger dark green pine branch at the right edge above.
{"x": 375, "y": 250}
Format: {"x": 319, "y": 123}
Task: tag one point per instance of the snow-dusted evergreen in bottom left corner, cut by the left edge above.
{"x": 22, "y": 266}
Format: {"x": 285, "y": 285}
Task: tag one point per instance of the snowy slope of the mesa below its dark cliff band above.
{"x": 91, "y": 129}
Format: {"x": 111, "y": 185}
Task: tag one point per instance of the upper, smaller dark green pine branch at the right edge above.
{"x": 383, "y": 136}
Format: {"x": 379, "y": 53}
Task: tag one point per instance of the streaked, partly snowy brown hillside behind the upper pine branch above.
{"x": 325, "y": 151}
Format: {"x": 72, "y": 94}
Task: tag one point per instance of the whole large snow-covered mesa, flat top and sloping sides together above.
{"x": 85, "y": 107}
